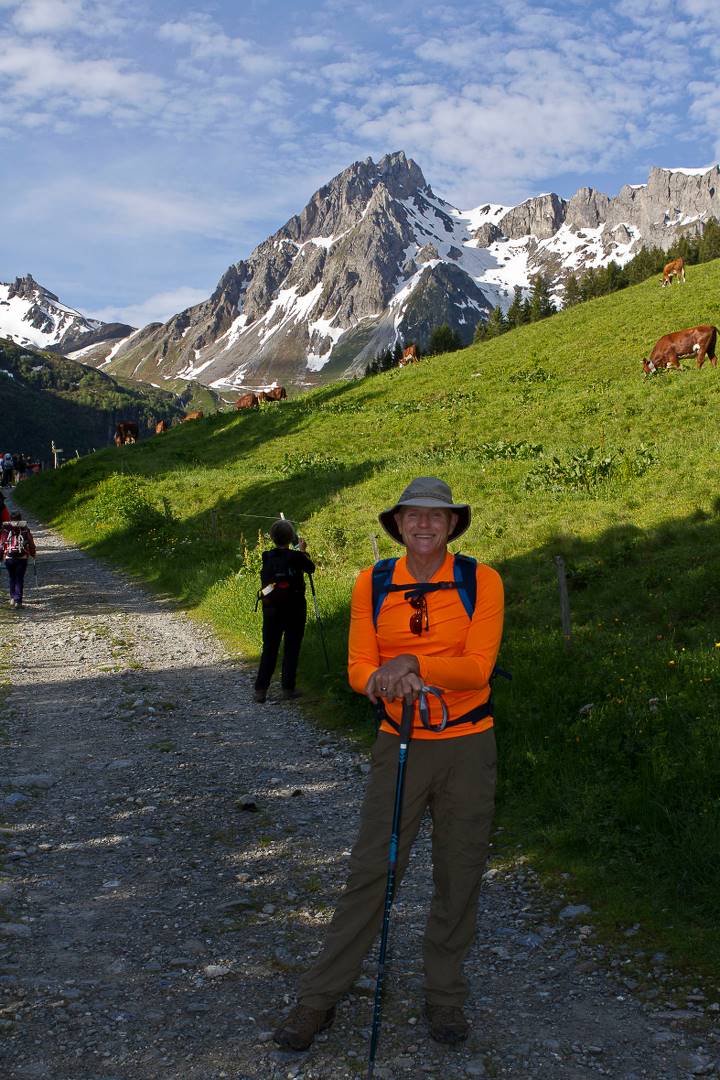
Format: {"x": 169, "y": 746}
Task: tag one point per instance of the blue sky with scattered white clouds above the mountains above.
{"x": 145, "y": 147}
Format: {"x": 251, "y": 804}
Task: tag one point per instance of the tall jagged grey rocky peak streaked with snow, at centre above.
{"x": 334, "y": 287}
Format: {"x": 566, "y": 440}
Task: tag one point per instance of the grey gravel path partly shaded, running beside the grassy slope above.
{"x": 153, "y": 928}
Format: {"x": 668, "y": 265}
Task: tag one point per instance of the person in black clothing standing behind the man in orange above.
{"x": 284, "y": 609}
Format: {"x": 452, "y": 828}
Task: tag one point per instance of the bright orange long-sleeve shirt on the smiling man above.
{"x": 455, "y": 655}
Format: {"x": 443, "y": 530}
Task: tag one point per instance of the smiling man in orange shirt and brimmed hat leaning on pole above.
{"x": 422, "y": 636}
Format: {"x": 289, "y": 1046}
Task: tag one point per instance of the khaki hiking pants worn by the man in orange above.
{"x": 456, "y": 778}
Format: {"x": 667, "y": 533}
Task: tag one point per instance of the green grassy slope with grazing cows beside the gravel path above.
{"x": 623, "y": 793}
